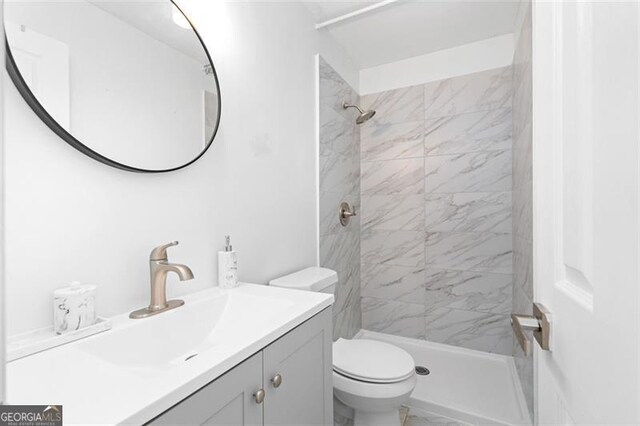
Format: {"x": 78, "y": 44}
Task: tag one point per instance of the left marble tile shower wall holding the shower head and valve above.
{"x": 340, "y": 181}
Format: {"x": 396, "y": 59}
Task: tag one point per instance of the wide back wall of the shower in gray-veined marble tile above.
{"x": 436, "y": 243}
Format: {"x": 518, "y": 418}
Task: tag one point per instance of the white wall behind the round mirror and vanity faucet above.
{"x": 72, "y": 218}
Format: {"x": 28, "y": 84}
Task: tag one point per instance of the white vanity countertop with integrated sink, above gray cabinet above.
{"x": 111, "y": 379}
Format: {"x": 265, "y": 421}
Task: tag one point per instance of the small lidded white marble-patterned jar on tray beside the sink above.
{"x": 74, "y": 307}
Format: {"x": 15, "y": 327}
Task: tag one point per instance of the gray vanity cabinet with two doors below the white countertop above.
{"x": 294, "y": 372}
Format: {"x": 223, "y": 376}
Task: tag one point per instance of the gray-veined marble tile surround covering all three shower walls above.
{"x": 441, "y": 248}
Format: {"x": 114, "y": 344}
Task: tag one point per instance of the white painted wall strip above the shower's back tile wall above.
{"x": 496, "y": 52}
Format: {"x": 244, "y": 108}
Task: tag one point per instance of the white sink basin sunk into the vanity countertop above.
{"x": 184, "y": 333}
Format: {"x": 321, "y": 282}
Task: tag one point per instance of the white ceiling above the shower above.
{"x": 410, "y": 28}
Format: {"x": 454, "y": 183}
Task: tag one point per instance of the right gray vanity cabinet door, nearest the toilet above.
{"x": 303, "y": 360}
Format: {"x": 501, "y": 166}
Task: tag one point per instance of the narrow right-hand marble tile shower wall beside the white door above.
{"x": 523, "y": 196}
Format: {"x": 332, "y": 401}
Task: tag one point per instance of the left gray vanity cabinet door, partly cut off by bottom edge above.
{"x": 227, "y": 401}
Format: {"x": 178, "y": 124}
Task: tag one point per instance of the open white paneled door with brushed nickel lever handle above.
{"x": 586, "y": 209}
